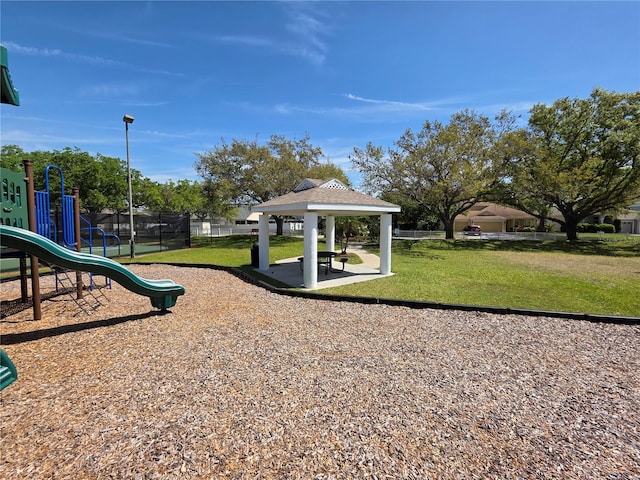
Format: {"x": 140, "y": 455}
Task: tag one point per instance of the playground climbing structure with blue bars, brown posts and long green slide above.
{"x": 22, "y": 205}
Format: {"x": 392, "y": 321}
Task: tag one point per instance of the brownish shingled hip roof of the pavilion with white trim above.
{"x": 325, "y": 197}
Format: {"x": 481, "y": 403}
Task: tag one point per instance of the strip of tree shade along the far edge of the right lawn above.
{"x": 425, "y": 248}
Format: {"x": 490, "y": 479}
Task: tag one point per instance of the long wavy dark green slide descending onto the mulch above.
{"x": 163, "y": 293}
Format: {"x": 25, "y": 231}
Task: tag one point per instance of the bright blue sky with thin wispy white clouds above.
{"x": 346, "y": 73}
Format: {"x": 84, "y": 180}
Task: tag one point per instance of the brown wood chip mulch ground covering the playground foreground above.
{"x": 238, "y": 382}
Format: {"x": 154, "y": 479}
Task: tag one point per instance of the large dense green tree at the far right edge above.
{"x": 579, "y": 156}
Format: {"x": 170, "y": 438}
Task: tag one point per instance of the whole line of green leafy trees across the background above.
{"x": 578, "y": 156}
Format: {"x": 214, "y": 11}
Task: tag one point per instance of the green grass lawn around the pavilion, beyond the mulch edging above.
{"x": 586, "y": 276}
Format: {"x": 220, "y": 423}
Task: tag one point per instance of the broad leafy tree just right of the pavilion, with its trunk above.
{"x": 443, "y": 170}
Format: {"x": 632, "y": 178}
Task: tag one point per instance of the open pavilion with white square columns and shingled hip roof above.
{"x": 319, "y": 198}
